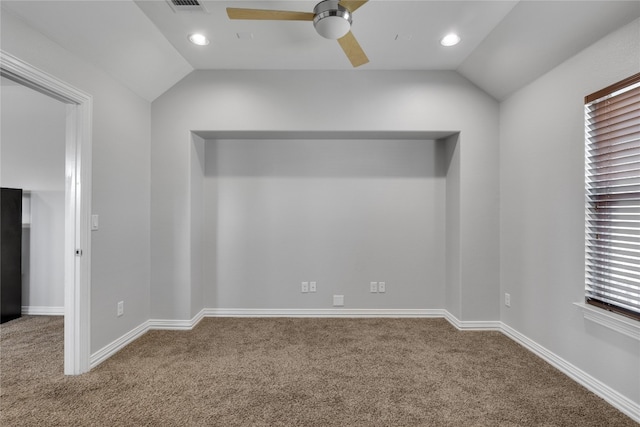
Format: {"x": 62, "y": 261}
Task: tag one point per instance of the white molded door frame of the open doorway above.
{"x": 77, "y": 257}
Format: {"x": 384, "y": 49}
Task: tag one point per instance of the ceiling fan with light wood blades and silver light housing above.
{"x": 331, "y": 19}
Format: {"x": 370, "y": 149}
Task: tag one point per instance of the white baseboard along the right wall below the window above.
{"x": 615, "y": 399}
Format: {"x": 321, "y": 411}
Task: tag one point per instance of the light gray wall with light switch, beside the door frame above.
{"x": 120, "y": 173}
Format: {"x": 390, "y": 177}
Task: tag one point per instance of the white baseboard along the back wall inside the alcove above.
{"x": 335, "y": 312}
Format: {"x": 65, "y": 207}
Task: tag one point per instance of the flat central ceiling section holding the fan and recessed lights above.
{"x": 296, "y": 45}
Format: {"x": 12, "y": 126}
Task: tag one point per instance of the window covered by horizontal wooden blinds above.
{"x": 612, "y": 181}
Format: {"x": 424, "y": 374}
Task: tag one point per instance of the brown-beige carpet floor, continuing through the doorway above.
{"x": 293, "y": 372}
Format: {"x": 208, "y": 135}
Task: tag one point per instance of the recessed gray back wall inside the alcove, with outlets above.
{"x": 342, "y": 213}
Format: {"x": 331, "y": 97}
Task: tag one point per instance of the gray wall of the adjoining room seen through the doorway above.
{"x": 32, "y": 158}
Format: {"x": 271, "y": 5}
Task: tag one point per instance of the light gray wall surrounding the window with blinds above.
{"x": 542, "y": 212}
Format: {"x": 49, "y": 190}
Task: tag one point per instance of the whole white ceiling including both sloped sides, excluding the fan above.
{"x": 505, "y": 44}
